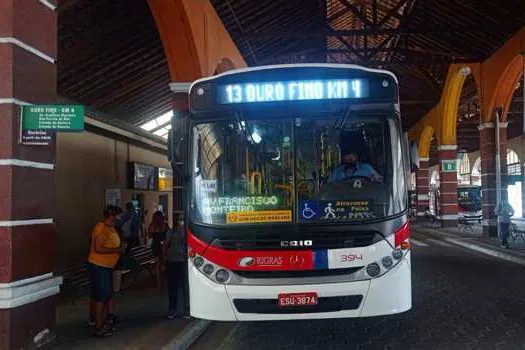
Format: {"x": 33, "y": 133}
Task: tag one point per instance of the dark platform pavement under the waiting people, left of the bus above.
{"x": 143, "y": 322}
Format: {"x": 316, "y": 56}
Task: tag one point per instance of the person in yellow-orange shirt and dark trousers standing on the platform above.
{"x": 103, "y": 256}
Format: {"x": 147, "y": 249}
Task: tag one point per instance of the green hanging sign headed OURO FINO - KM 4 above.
{"x": 69, "y": 118}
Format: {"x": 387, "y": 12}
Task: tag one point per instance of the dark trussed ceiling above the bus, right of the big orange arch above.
{"x": 417, "y": 39}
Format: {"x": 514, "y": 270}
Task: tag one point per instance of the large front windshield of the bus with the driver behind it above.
{"x": 297, "y": 170}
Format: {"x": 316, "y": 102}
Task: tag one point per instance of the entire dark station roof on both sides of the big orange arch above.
{"x": 111, "y": 58}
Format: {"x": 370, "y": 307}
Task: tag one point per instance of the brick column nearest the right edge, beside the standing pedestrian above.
{"x": 487, "y": 136}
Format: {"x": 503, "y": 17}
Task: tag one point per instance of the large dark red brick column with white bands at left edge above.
{"x": 28, "y": 30}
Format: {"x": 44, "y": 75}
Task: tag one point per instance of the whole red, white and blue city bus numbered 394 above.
{"x": 296, "y": 199}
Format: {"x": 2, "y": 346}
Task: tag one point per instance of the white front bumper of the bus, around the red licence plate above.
{"x": 388, "y": 294}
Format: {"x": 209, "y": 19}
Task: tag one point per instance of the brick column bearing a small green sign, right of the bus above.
{"x": 448, "y": 184}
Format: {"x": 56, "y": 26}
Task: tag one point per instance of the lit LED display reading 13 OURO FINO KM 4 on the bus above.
{"x": 293, "y": 91}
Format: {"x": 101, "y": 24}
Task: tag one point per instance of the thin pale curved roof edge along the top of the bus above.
{"x": 295, "y": 65}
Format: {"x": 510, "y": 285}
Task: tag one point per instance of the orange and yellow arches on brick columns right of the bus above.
{"x": 495, "y": 78}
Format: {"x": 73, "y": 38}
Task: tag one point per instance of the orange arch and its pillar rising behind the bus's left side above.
{"x": 206, "y": 51}
